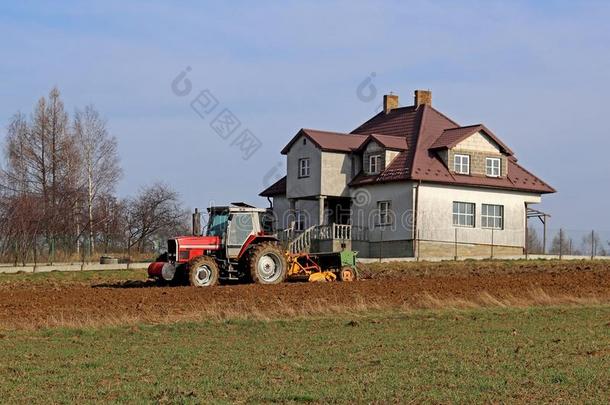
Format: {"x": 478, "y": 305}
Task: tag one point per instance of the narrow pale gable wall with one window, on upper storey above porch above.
{"x": 303, "y": 187}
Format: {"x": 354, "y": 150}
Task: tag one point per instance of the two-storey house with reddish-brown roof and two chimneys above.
{"x": 410, "y": 181}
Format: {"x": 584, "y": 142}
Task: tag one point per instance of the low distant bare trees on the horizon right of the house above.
{"x": 562, "y": 243}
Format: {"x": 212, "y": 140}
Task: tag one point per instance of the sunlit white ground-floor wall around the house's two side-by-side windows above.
{"x": 435, "y": 214}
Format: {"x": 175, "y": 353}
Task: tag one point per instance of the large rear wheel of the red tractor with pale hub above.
{"x": 267, "y": 263}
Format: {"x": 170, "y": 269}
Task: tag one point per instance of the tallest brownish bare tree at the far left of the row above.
{"x": 42, "y": 162}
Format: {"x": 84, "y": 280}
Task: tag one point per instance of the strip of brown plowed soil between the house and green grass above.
{"x": 384, "y": 286}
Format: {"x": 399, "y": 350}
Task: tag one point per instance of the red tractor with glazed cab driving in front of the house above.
{"x": 238, "y": 245}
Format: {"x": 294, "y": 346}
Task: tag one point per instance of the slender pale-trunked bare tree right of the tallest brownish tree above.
{"x": 100, "y": 160}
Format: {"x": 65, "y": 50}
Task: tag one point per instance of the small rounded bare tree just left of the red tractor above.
{"x": 155, "y": 211}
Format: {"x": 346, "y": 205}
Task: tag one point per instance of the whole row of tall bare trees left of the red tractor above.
{"x": 57, "y": 190}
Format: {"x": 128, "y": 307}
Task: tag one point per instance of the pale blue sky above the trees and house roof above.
{"x": 537, "y": 74}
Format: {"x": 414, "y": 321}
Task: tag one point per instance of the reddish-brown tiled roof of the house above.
{"x": 422, "y": 130}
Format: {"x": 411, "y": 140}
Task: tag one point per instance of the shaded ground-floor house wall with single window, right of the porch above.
{"x": 365, "y": 213}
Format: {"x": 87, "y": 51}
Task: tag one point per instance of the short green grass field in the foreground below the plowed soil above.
{"x": 484, "y": 355}
